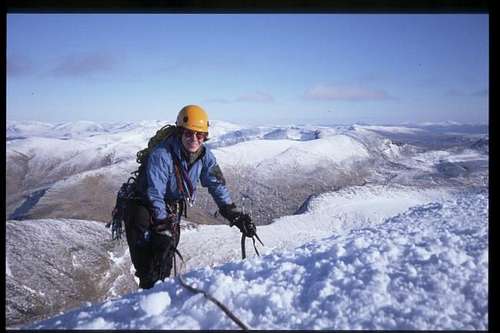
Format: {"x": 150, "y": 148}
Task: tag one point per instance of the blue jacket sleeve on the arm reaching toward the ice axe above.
{"x": 211, "y": 177}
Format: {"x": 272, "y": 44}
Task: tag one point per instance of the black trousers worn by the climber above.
{"x": 152, "y": 254}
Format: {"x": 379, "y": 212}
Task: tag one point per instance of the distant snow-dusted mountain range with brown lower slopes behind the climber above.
{"x": 52, "y": 167}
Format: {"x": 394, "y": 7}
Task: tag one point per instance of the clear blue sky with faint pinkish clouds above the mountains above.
{"x": 249, "y": 68}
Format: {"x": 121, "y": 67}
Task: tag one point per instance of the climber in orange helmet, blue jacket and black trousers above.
{"x": 164, "y": 188}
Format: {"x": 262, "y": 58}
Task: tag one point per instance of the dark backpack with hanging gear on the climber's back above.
{"x": 127, "y": 190}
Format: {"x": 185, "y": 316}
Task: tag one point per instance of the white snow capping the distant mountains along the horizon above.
{"x": 58, "y": 156}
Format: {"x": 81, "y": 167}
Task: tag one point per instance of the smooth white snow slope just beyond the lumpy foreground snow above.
{"x": 330, "y": 213}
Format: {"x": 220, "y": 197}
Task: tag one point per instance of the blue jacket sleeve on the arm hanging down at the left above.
{"x": 157, "y": 173}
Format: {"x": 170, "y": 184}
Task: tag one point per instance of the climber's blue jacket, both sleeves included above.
{"x": 157, "y": 182}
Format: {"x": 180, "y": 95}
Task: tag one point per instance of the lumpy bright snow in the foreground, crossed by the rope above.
{"x": 424, "y": 268}
